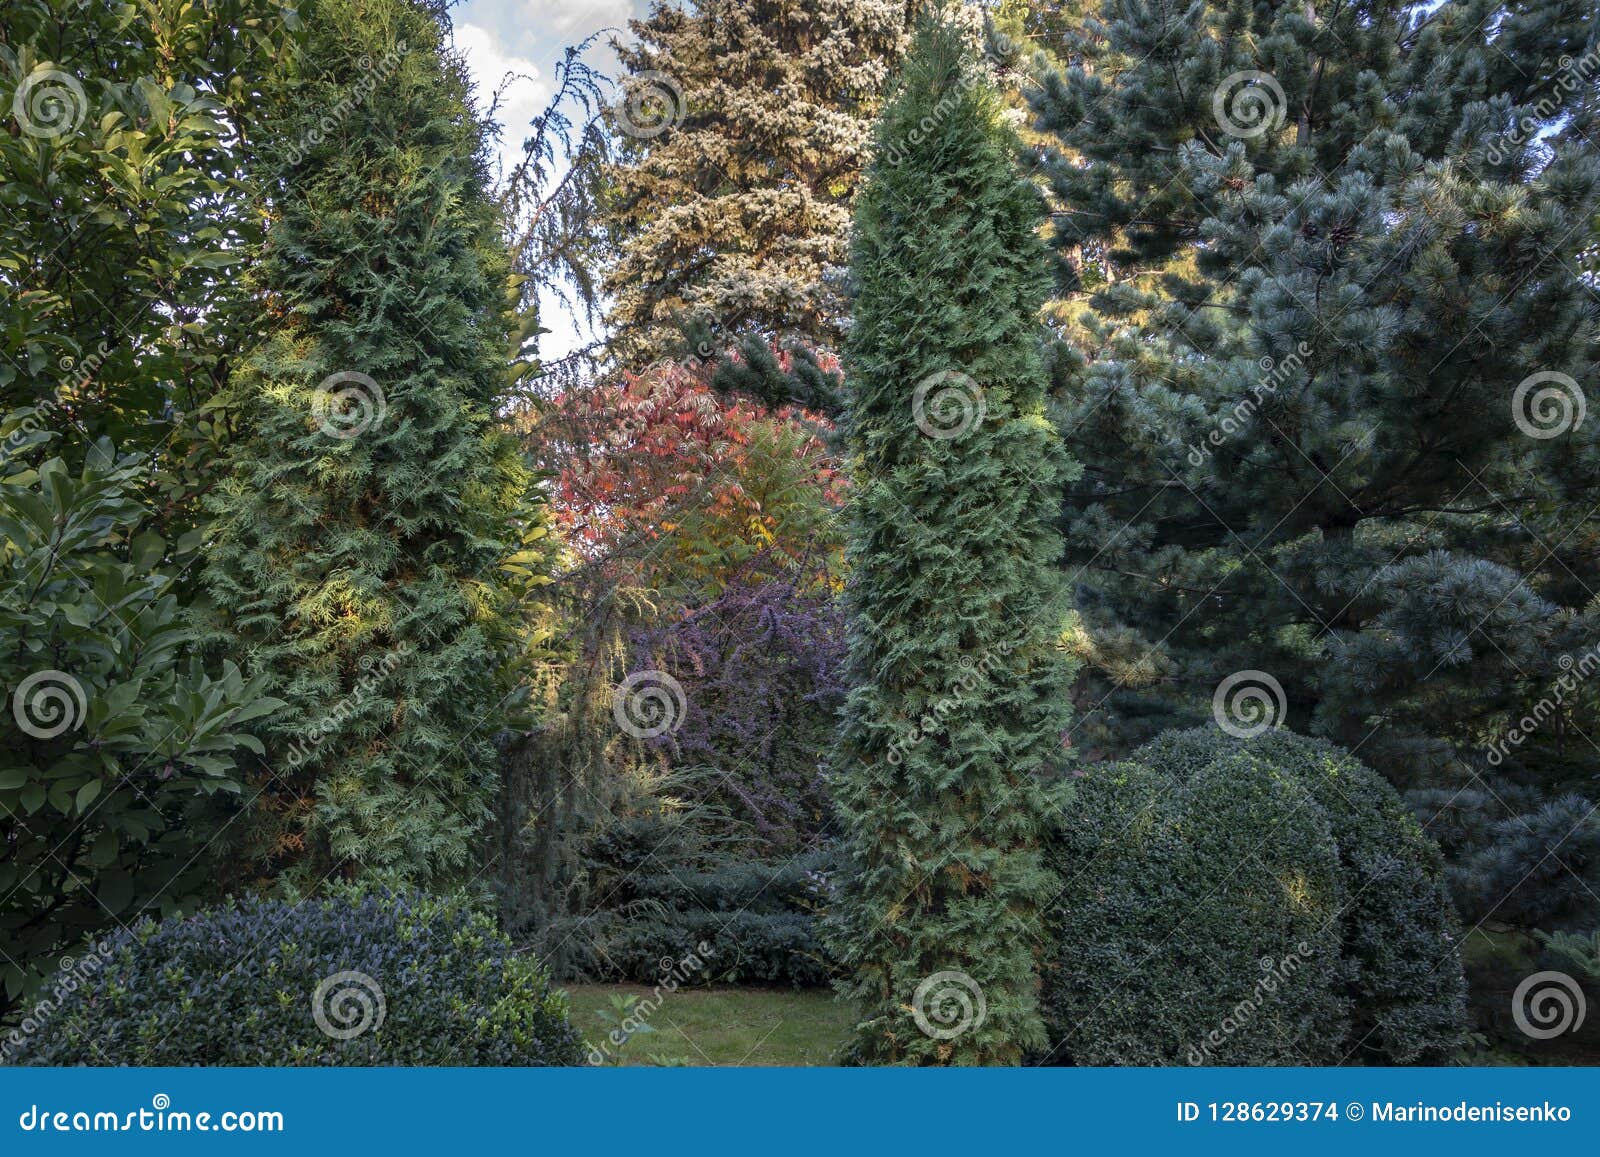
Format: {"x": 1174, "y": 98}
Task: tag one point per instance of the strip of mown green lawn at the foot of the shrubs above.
{"x": 718, "y": 1027}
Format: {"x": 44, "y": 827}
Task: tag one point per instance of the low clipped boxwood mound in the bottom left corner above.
{"x": 342, "y": 980}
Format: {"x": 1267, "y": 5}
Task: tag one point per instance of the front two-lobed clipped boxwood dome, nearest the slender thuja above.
{"x": 1199, "y": 921}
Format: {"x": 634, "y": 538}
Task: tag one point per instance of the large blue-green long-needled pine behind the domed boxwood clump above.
{"x": 1324, "y": 313}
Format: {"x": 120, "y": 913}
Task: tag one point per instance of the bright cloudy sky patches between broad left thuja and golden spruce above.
{"x": 527, "y": 38}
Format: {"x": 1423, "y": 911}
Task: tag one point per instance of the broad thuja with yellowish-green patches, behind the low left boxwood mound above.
{"x": 372, "y": 498}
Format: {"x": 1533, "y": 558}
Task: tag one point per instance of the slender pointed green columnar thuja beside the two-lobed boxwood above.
{"x": 958, "y": 697}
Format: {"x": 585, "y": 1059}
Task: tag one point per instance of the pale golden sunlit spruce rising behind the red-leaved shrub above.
{"x": 743, "y": 135}
